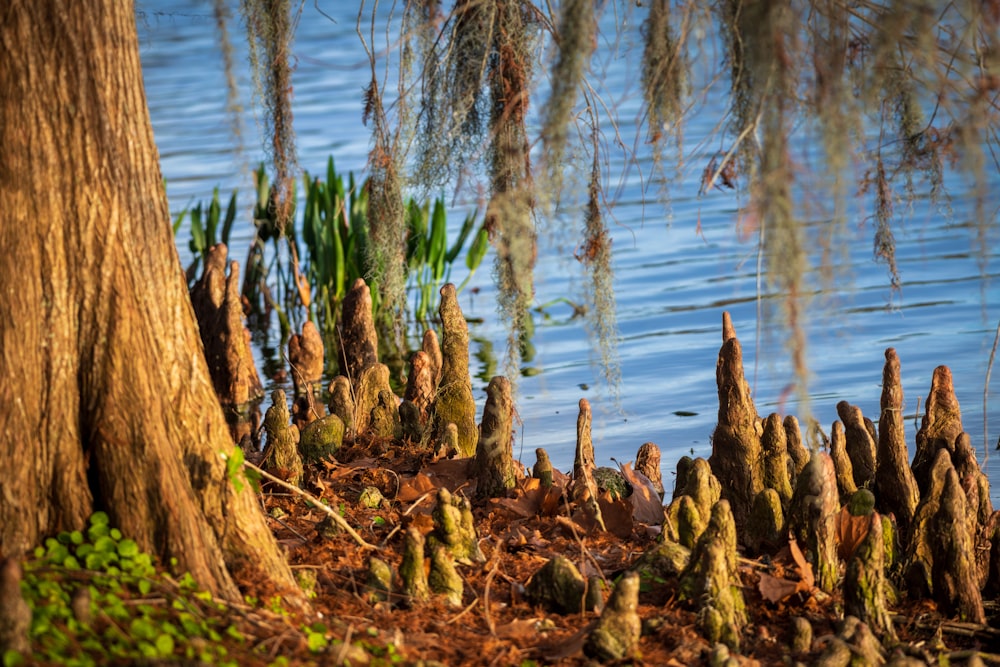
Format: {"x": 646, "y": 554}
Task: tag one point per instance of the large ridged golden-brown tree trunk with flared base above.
{"x": 107, "y": 400}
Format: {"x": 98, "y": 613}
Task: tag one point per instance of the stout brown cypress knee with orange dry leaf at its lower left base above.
{"x": 813, "y": 516}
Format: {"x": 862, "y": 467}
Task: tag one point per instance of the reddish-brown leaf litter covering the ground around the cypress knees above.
{"x": 495, "y": 625}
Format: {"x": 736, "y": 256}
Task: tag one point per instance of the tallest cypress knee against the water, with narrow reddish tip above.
{"x": 737, "y": 458}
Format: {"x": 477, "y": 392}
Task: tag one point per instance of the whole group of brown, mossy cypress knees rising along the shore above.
{"x": 924, "y": 529}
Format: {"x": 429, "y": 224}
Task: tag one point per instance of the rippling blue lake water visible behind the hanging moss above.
{"x": 678, "y": 265}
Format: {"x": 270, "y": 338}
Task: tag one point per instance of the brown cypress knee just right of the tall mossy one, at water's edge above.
{"x": 496, "y": 470}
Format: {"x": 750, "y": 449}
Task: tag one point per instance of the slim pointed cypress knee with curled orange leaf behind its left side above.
{"x": 864, "y": 583}
